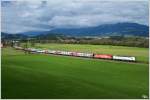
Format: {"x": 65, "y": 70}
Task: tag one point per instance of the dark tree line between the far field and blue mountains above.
{"x": 112, "y": 40}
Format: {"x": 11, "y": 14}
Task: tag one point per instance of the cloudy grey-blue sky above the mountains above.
{"x": 36, "y": 15}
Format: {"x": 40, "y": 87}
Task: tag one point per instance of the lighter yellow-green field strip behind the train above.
{"x": 141, "y": 54}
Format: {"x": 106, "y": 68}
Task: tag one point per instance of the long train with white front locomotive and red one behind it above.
{"x": 78, "y": 54}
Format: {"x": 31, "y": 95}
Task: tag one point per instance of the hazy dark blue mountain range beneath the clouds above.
{"x": 125, "y": 29}
